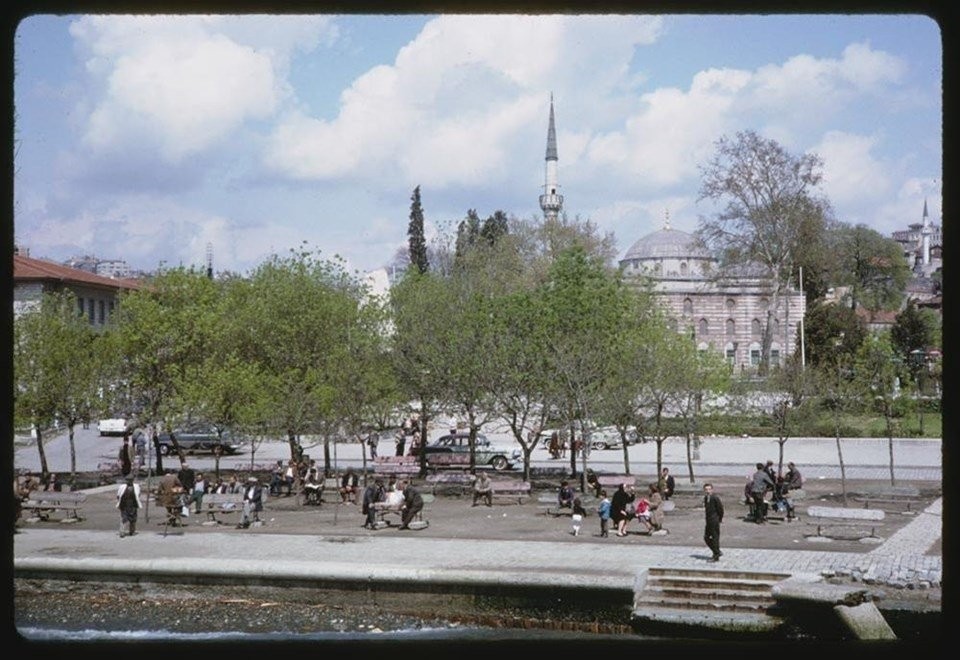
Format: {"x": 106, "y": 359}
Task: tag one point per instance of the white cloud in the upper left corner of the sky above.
{"x": 179, "y": 84}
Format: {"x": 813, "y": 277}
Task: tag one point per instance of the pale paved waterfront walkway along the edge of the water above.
{"x": 900, "y": 560}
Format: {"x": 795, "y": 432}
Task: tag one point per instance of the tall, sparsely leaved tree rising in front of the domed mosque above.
{"x": 769, "y": 209}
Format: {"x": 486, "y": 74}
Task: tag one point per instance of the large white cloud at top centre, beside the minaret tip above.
{"x": 452, "y": 105}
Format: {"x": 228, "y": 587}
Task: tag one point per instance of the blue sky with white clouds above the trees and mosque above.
{"x": 150, "y": 138}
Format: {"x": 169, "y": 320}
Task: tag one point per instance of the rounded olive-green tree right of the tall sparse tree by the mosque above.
{"x": 872, "y": 265}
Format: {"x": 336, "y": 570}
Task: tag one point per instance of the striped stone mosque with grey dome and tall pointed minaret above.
{"x": 727, "y": 316}
